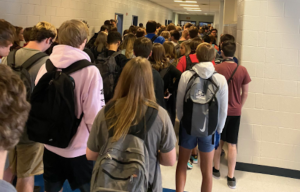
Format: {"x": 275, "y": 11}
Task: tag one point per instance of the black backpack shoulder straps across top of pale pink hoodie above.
{"x": 71, "y": 69}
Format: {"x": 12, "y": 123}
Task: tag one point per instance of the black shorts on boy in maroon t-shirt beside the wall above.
{"x": 231, "y": 129}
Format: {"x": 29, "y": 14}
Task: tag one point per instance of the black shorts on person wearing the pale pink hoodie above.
{"x": 57, "y": 169}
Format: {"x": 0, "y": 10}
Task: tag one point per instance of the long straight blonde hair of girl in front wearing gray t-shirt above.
{"x": 133, "y": 93}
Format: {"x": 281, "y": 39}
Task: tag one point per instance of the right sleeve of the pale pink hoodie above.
{"x": 93, "y": 101}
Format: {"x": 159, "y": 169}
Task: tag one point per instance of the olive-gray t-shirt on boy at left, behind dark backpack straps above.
{"x": 23, "y": 55}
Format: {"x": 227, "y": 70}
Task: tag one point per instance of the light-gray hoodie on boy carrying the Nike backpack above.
{"x": 205, "y": 70}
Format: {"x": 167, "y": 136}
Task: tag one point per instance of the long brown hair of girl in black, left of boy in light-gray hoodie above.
{"x": 158, "y": 58}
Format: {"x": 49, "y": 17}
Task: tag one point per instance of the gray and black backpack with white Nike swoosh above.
{"x": 200, "y": 116}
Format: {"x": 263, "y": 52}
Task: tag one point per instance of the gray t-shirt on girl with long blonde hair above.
{"x": 161, "y": 136}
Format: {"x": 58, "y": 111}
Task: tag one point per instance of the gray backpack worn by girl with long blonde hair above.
{"x": 124, "y": 164}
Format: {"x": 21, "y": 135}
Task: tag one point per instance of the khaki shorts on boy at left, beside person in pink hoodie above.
{"x": 27, "y": 160}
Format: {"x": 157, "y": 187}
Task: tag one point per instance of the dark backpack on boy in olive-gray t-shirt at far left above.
{"x": 22, "y": 71}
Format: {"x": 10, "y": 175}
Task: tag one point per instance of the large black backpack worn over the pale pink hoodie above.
{"x": 52, "y": 119}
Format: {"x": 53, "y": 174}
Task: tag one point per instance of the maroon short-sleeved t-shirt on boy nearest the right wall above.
{"x": 240, "y": 78}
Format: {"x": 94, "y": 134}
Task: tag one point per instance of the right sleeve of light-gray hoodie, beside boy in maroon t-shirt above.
{"x": 223, "y": 104}
